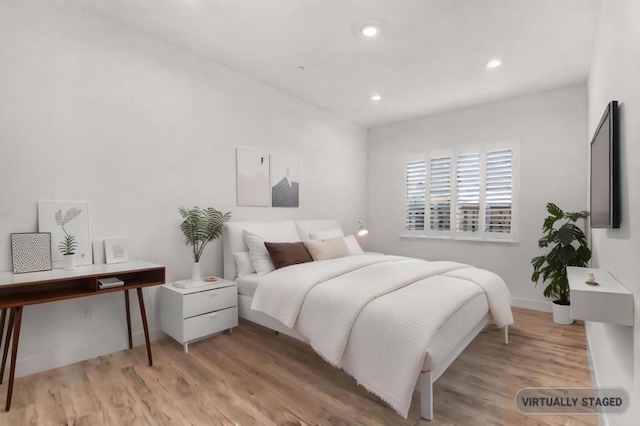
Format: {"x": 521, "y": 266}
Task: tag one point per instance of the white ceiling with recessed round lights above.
{"x": 429, "y": 56}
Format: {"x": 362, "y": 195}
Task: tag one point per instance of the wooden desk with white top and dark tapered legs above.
{"x": 20, "y": 290}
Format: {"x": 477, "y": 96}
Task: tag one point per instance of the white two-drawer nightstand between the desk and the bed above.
{"x": 191, "y": 314}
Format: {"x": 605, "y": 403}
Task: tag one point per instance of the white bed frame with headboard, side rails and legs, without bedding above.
{"x": 289, "y": 231}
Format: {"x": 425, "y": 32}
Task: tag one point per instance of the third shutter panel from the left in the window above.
{"x": 468, "y": 192}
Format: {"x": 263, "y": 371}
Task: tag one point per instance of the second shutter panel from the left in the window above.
{"x": 440, "y": 193}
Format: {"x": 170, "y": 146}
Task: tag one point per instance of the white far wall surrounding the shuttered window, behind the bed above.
{"x": 551, "y": 130}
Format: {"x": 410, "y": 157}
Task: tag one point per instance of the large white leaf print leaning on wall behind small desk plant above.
{"x": 62, "y": 219}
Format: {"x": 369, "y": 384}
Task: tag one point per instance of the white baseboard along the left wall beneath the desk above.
{"x": 62, "y": 357}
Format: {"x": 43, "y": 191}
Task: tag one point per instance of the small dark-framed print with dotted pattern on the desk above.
{"x": 31, "y": 252}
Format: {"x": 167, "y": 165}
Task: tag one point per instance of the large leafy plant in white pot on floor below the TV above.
{"x": 567, "y": 246}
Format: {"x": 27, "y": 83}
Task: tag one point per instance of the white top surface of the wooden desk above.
{"x": 10, "y": 279}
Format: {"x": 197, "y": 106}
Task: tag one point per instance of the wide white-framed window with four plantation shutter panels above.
{"x": 465, "y": 193}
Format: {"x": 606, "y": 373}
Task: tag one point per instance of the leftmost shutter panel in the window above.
{"x": 415, "y": 193}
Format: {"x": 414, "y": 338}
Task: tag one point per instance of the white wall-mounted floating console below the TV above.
{"x": 608, "y": 302}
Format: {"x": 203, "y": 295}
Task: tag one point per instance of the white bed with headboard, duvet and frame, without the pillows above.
{"x": 301, "y": 301}
